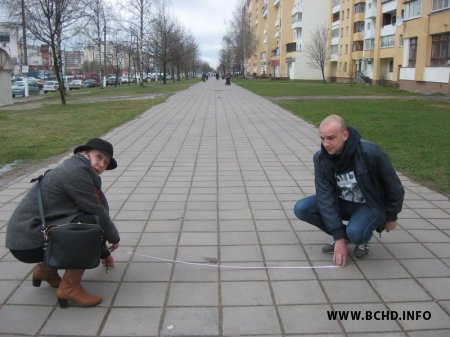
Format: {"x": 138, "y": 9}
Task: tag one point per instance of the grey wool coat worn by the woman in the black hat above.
{"x": 69, "y": 190}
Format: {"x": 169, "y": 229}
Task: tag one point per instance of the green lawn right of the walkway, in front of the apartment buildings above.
{"x": 415, "y": 133}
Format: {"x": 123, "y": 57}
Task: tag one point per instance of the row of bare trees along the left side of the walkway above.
{"x": 141, "y": 31}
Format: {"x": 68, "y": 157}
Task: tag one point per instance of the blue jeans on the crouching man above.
{"x": 361, "y": 220}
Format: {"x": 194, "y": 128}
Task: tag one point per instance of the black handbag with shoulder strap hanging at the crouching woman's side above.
{"x": 70, "y": 245}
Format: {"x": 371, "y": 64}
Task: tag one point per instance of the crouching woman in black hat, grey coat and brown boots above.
{"x": 71, "y": 192}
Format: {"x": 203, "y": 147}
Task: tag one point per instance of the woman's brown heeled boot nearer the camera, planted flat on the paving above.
{"x": 70, "y": 289}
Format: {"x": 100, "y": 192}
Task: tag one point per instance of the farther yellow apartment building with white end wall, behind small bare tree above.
{"x": 282, "y": 28}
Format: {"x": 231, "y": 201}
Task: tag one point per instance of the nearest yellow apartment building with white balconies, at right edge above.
{"x": 405, "y": 43}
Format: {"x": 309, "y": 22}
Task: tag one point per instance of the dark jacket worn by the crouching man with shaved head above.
{"x": 377, "y": 179}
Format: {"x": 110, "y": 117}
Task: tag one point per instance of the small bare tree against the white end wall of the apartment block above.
{"x": 317, "y": 49}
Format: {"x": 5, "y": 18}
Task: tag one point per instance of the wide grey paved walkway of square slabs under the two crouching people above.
{"x": 212, "y": 175}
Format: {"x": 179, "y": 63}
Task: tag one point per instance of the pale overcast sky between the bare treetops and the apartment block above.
{"x": 207, "y": 20}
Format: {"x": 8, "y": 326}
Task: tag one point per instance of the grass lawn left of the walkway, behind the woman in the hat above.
{"x": 30, "y": 135}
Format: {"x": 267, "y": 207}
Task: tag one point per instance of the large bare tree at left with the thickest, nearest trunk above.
{"x": 52, "y": 21}
